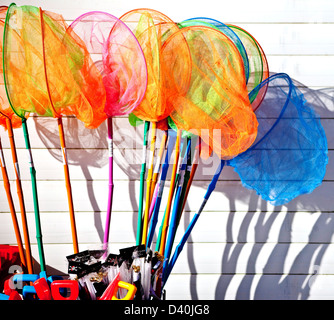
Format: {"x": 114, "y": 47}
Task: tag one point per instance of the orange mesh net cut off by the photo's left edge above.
{"x": 6, "y": 111}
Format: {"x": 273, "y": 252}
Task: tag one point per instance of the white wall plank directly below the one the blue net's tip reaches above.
{"x": 212, "y": 227}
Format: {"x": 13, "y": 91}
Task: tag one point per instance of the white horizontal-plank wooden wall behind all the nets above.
{"x": 241, "y": 247}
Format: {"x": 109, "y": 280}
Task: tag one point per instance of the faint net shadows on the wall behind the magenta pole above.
{"x": 88, "y": 148}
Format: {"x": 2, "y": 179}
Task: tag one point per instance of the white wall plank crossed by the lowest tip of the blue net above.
{"x": 228, "y": 195}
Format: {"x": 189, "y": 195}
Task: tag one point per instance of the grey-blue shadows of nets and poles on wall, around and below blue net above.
{"x": 308, "y": 260}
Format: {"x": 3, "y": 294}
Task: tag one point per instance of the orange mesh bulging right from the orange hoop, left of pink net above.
{"x": 75, "y": 83}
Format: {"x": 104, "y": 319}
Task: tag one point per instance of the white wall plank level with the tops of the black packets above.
{"x": 219, "y": 259}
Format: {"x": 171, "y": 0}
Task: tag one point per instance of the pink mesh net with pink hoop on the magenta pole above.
{"x": 119, "y": 57}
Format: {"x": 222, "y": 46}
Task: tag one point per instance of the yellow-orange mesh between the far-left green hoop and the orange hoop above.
{"x": 23, "y": 62}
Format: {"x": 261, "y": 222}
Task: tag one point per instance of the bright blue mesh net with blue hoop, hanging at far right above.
{"x": 289, "y": 155}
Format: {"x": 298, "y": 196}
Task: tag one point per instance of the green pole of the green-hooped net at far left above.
{"x": 34, "y": 191}
